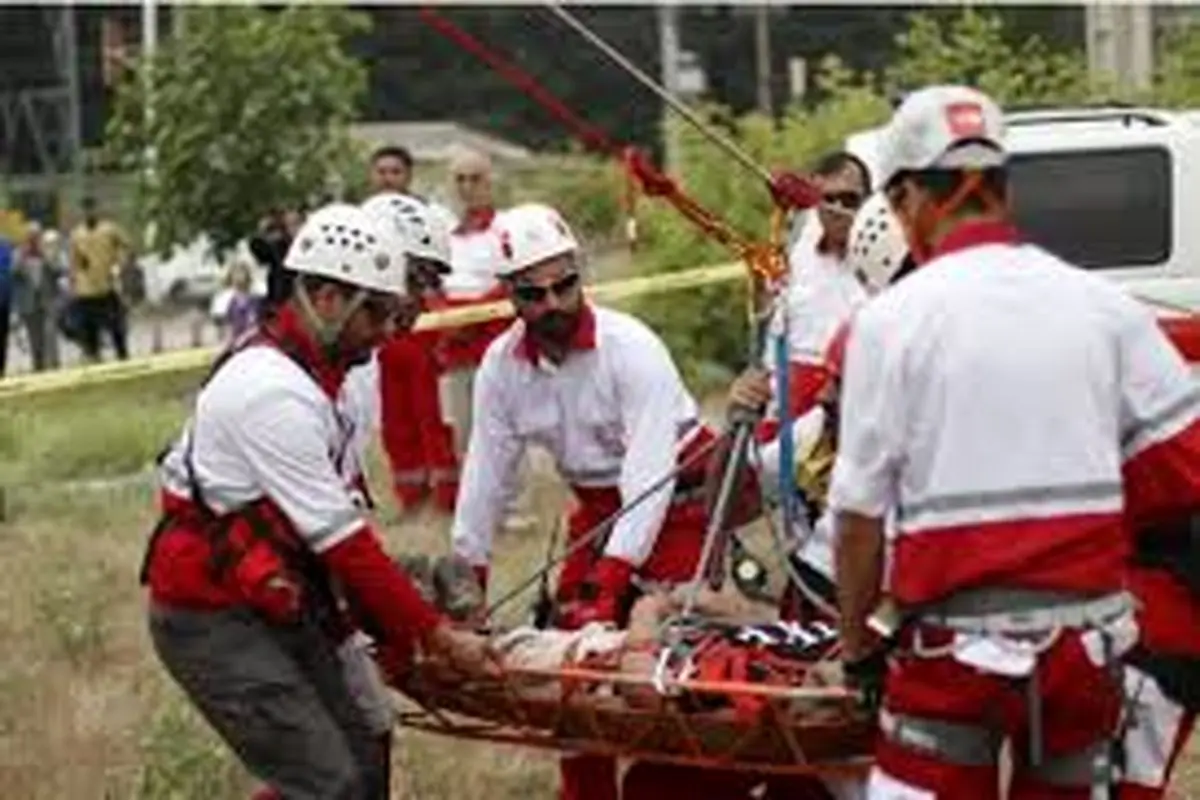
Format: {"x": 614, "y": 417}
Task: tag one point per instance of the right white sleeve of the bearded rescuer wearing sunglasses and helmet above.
{"x": 650, "y": 393}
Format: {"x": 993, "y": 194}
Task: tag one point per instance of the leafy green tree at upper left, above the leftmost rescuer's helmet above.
{"x": 250, "y": 112}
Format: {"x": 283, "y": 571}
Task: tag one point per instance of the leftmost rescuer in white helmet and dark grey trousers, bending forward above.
{"x": 263, "y": 563}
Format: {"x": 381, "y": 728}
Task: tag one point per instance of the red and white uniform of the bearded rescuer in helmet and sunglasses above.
{"x": 615, "y": 417}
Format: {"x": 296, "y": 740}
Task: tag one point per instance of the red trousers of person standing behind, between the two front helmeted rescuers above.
{"x": 419, "y": 444}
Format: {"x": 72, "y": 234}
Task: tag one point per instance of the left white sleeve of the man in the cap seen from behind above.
{"x": 866, "y": 476}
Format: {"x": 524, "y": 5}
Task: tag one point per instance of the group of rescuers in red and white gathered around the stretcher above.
{"x": 1000, "y": 444}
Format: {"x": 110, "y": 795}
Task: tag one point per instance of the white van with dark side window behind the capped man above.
{"x": 1107, "y": 189}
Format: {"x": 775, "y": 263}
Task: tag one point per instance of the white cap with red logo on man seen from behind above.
{"x": 944, "y": 128}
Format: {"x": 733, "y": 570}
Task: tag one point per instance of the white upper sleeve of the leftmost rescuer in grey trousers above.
{"x": 285, "y": 446}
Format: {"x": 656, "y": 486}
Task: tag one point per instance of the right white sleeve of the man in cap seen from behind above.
{"x": 1159, "y": 395}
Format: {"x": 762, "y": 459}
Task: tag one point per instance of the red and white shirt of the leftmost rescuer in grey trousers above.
{"x": 269, "y": 441}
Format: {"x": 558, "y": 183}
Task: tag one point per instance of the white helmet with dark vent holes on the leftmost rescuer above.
{"x": 344, "y": 243}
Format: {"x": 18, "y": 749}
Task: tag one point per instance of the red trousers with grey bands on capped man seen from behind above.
{"x": 1081, "y": 707}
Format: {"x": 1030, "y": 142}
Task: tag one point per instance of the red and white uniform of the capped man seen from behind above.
{"x": 1012, "y": 410}
